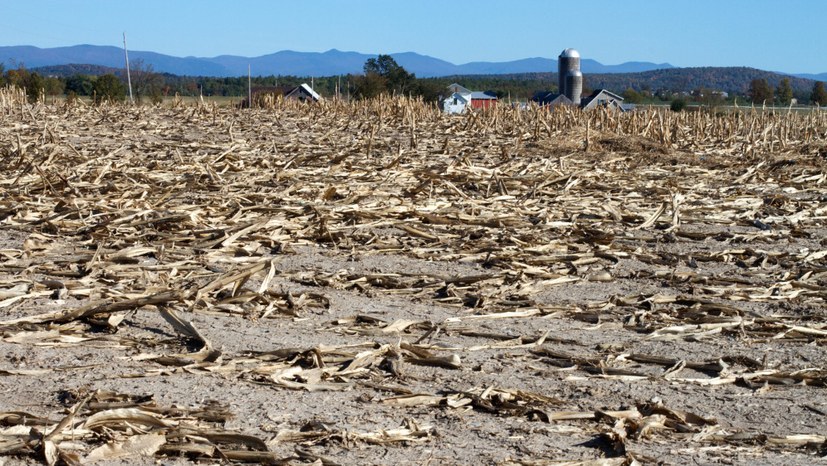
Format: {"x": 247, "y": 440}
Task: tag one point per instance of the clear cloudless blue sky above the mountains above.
{"x": 775, "y": 35}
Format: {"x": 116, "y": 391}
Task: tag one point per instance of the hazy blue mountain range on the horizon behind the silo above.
{"x": 330, "y": 63}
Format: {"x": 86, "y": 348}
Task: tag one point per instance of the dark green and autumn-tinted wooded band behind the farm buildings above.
{"x": 383, "y": 75}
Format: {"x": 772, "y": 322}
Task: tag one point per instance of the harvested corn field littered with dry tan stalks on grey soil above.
{"x": 374, "y": 283}
